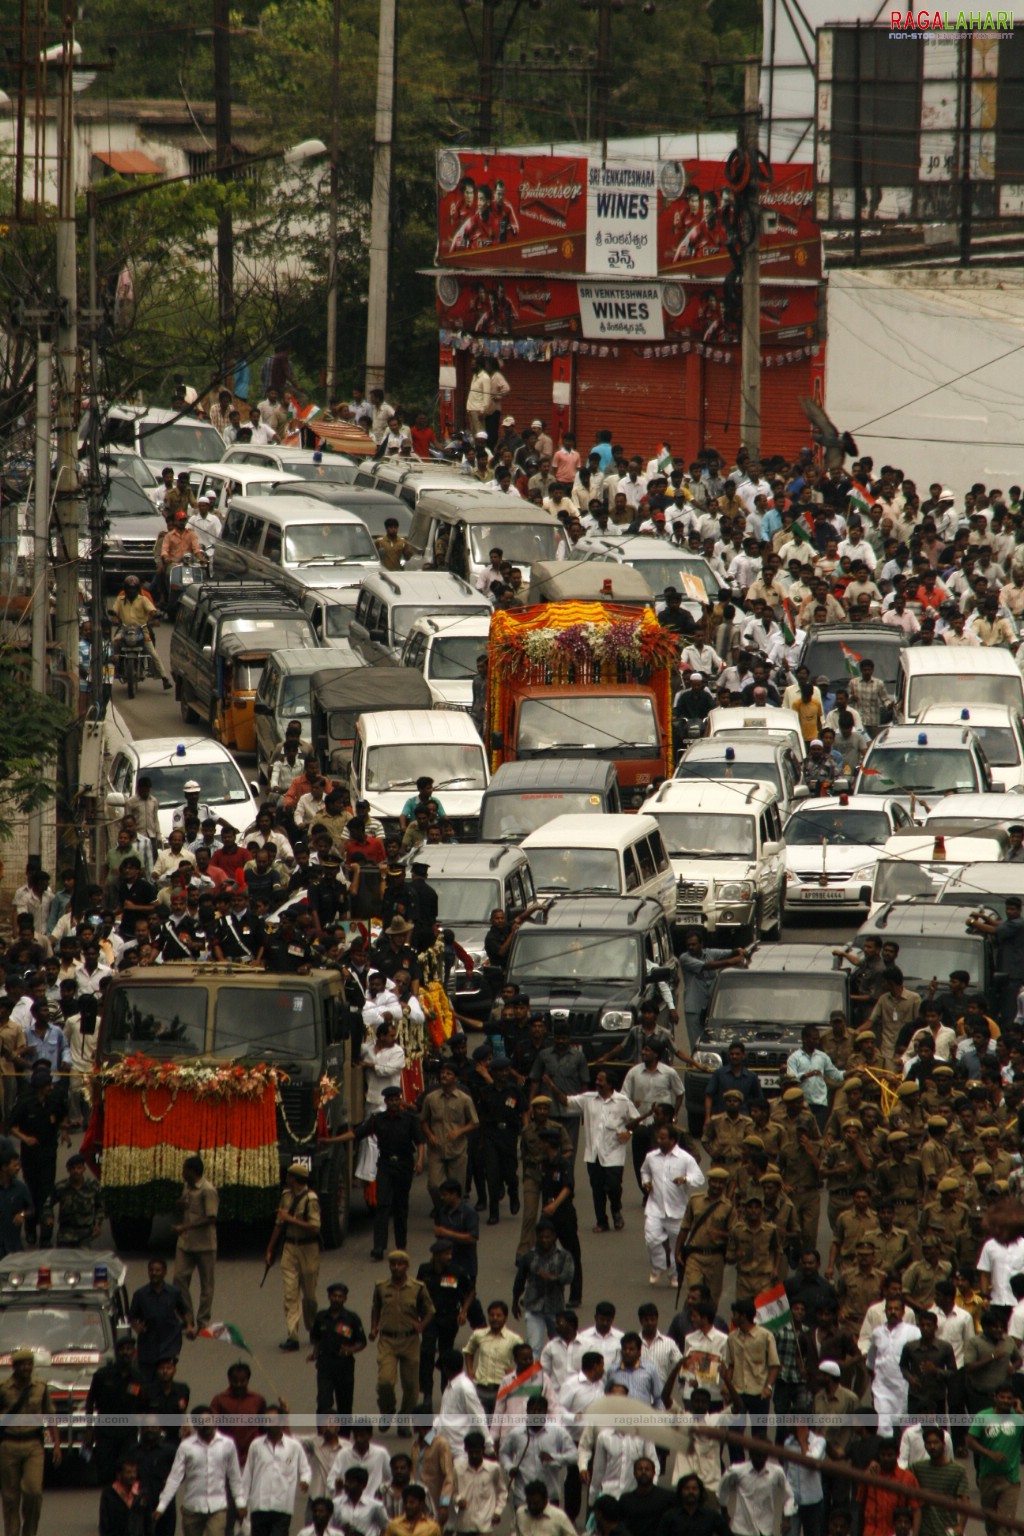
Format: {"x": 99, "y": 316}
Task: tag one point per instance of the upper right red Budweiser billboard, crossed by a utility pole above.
{"x": 698, "y": 222}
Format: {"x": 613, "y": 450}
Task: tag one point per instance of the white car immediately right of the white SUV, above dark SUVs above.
{"x": 833, "y": 847}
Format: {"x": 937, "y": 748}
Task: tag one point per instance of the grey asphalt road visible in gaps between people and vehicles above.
{"x": 615, "y": 1265}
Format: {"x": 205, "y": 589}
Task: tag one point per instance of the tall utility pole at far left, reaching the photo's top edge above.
{"x": 67, "y": 400}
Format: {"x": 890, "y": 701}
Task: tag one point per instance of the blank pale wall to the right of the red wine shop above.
{"x": 925, "y": 369}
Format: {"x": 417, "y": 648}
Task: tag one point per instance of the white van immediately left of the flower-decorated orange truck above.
{"x": 394, "y": 749}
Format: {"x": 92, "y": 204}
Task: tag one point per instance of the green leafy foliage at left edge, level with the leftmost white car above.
{"x": 33, "y": 732}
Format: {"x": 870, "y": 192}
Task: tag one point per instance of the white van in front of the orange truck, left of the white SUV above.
{"x": 603, "y": 856}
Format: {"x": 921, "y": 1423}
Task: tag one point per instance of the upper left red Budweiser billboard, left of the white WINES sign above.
{"x": 512, "y": 211}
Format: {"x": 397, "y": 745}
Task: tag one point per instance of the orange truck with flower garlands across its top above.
{"x": 583, "y": 680}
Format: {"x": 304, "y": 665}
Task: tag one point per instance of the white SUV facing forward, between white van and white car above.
{"x": 724, "y": 839}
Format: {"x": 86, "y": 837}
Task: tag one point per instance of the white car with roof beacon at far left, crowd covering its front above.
{"x": 170, "y": 763}
